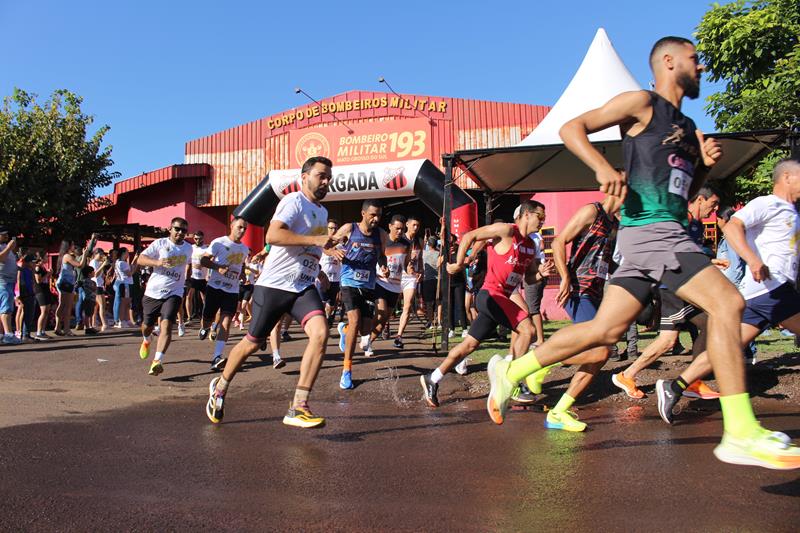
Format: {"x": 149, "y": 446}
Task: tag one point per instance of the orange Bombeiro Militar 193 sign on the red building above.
{"x": 370, "y": 142}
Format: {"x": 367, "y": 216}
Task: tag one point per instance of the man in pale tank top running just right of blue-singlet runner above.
{"x": 388, "y": 285}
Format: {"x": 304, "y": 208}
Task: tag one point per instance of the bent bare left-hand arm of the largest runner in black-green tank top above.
{"x": 626, "y": 110}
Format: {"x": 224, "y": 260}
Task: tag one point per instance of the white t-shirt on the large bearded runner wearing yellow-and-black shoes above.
{"x": 294, "y": 268}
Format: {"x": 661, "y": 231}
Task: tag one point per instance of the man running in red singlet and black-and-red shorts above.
{"x": 511, "y": 257}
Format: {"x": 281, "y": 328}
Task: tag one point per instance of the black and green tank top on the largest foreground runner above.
{"x": 660, "y": 164}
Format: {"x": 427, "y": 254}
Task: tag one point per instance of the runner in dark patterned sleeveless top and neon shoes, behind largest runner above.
{"x": 590, "y": 231}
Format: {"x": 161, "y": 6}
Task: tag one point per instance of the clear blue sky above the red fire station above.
{"x": 162, "y": 73}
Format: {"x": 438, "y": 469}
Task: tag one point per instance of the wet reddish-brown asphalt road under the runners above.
{"x": 383, "y": 461}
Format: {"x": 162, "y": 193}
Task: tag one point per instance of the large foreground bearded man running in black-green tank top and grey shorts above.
{"x": 666, "y": 162}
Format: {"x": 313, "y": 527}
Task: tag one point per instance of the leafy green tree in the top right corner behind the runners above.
{"x": 754, "y": 47}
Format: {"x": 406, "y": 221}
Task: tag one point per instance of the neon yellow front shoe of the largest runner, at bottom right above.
{"x": 768, "y": 449}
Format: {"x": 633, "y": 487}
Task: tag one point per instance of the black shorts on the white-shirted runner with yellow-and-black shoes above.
{"x": 269, "y": 306}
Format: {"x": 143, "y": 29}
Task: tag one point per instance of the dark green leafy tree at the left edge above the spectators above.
{"x": 49, "y": 167}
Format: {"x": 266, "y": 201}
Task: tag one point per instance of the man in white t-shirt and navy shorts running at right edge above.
{"x": 765, "y": 234}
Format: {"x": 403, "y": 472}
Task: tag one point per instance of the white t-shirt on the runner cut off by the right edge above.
{"x": 772, "y": 228}
